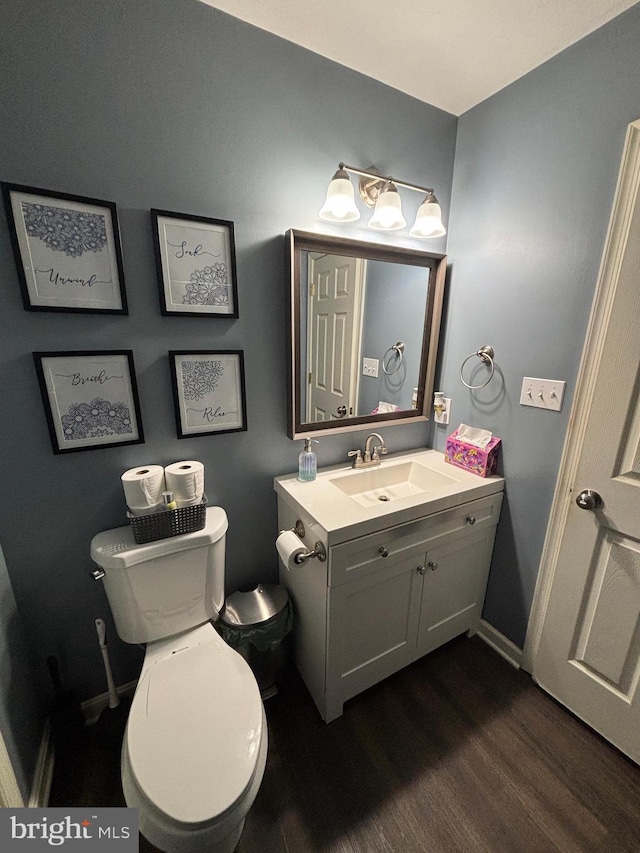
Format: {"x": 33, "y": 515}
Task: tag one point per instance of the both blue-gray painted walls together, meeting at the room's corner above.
{"x": 172, "y": 104}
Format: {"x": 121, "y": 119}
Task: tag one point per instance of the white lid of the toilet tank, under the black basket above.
{"x": 117, "y": 549}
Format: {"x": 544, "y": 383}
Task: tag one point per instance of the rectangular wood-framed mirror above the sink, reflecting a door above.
{"x": 364, "y": 321}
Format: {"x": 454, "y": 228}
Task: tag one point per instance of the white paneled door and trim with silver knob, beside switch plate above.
{"x": 587, "y": 651}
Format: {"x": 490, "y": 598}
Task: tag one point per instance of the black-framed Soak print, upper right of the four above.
{"x": 196, "y": 264}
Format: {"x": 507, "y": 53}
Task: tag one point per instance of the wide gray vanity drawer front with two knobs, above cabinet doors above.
{"x": 359, "y": 557}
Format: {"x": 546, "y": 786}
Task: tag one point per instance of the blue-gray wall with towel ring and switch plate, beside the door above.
{"x": 535, "y": 173}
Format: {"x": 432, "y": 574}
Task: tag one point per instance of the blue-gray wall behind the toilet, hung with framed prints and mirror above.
{"x": 174, "y": 105}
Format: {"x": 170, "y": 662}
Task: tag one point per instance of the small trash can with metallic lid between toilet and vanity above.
{"x": 256, "y": 621}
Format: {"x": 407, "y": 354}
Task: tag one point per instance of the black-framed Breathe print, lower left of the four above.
{"x": 90, "y": 398}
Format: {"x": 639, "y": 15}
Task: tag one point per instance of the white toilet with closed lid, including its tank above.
{"x": 195, "y": 744}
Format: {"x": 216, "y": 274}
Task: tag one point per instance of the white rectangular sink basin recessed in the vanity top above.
{"x": 392, "y": 482}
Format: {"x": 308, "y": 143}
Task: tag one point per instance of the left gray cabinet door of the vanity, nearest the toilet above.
{"x": 372, "y": 626}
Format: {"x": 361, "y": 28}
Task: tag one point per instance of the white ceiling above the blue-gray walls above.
{"x": 449, "y": 53}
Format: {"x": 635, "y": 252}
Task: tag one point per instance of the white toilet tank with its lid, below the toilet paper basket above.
{"x": 161, "y": 588}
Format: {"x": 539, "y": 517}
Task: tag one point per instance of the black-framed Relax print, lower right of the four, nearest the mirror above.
{"x": 209, "y": 391}
